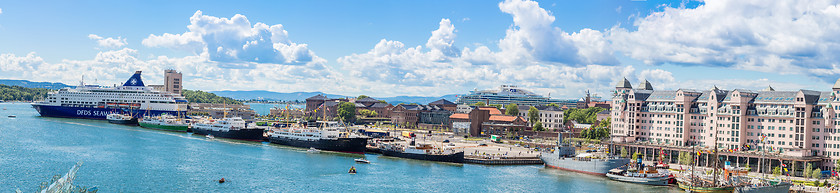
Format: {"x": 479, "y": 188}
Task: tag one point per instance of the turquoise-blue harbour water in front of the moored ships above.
{"x": 132, "y": 159}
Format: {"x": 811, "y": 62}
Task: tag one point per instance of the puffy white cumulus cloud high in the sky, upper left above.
{"x": 236, "y": 41}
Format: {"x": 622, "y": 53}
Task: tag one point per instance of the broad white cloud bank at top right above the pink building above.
{"x": 798, "y": 37}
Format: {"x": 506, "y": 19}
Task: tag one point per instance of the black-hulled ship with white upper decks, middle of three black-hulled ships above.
{"x": 328, "y": 137}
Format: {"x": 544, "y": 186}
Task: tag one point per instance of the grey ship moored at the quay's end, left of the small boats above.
{"x": 564, "y": 157}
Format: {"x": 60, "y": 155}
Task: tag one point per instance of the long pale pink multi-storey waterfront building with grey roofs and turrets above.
{"x": 794, "y": 125}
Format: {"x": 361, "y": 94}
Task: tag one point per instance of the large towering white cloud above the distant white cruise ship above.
{"x": 532, "y": 54}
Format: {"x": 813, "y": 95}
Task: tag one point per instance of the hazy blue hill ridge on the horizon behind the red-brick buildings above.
{"x": 301, "y": 96}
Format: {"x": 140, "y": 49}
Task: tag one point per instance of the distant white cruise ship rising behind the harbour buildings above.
{"x": 506, "y": 94}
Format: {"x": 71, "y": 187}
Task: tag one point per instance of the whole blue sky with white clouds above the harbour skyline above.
{"x": 426, "y": 48}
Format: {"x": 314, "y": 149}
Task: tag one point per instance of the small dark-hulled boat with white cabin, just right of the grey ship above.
{"x": 640, "y": 174}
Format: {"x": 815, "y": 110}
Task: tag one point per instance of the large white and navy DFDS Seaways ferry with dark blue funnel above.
{"x": 96, "y": 102}
